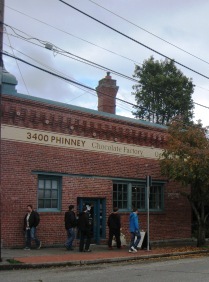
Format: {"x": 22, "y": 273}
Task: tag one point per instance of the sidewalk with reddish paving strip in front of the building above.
{"x": 47, "y": 257}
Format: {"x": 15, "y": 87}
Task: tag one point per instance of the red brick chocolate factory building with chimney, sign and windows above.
{"x": 55, "y": 154}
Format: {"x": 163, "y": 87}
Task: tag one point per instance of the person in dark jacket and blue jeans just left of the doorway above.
{"x": 70, "y": 224}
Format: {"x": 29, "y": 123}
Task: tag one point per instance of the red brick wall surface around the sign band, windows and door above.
{"x": 19, "y": 185}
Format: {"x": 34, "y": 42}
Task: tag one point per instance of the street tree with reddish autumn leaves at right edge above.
{"x": 186, "y": 159}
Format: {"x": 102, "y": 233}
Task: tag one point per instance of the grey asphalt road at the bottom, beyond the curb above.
{"x": 192, "y": 270}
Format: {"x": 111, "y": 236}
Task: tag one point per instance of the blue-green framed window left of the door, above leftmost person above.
{"x": 49, "y": 191}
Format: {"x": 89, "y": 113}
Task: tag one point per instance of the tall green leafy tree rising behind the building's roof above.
{"x": 163, "y": 92}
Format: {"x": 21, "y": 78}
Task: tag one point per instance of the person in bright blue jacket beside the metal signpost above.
{"x": 134, "y": 228}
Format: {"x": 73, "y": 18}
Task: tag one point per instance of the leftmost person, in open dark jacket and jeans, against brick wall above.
{"x": 31, "y": 221}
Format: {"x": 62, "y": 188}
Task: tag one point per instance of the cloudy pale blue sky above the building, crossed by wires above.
{"x": 176, "y": 29}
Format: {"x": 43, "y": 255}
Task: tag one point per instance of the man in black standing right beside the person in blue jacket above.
{"x": 114, "y": 225}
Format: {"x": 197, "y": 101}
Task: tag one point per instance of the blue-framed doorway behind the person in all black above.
{"x": 97, "y": 216}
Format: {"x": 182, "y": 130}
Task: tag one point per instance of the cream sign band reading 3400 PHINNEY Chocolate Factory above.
{"x": 47, "y": 138}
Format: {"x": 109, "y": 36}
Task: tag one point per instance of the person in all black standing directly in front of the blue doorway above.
{"x": 85, "y": 231}
